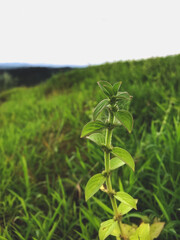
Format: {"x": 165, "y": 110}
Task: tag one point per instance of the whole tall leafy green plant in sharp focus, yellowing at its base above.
{"x": 114, "y": 226}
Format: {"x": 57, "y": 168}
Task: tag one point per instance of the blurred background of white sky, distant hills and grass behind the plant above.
{"x": 52, "y": 54}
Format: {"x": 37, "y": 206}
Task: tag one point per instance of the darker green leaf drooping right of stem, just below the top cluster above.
{"x": 125, "y": 119}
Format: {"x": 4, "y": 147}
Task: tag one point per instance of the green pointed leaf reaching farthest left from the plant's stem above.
{"x": 92, "y": 127}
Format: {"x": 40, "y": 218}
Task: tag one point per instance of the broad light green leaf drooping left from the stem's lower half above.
{"x": 93, "y": 185}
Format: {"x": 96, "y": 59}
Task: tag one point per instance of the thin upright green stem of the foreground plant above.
{"x": 108, "y": 138}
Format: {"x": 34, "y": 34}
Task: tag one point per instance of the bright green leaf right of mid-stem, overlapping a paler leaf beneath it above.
{"x": 123, "y": 155}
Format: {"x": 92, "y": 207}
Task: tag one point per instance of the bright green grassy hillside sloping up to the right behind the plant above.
{"x": 44, "y": 165}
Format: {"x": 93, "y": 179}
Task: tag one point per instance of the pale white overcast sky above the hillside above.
{"x": 87, "y": 32}
